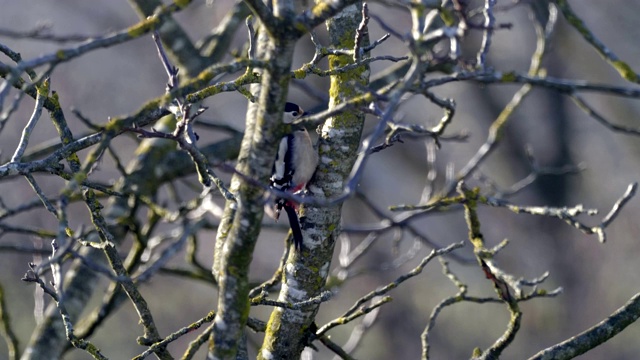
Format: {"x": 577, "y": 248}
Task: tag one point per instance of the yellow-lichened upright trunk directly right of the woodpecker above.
{"x": 306, "y": 271}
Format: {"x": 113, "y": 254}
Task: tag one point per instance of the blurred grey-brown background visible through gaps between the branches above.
{"x": 596, "y": 278}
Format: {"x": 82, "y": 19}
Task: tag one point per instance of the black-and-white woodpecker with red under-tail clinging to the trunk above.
{"x": 295, "y": 163}
